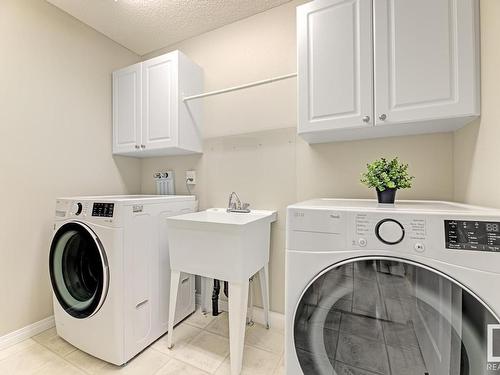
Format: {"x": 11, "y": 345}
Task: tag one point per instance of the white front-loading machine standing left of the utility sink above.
{"x": 110, "y": 272}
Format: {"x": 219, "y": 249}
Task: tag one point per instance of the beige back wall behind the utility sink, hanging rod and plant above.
{"x": 251, "y": 145}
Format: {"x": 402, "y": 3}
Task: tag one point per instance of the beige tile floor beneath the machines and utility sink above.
{"x": 201, "y": 347}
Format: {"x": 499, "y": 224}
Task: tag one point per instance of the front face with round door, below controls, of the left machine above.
{"x": 88, "y": 293}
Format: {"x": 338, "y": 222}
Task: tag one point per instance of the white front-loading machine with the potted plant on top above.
{"x": 411, "y": 288}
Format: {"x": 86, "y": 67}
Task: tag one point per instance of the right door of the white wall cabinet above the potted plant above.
{"x": 426, "y": 60}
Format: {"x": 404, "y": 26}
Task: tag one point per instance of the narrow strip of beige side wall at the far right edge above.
{"x": 477, "y": 147}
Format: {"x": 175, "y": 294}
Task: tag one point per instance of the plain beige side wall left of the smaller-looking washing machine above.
{"x": 55, "y": 127}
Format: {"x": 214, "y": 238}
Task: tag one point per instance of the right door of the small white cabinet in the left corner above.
{"x": 159, "y": 96}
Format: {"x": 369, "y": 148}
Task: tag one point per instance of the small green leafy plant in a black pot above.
{"x": 387, "y": 176}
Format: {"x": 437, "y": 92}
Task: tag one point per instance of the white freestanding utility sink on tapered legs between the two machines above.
{"x": 227, "y": 246}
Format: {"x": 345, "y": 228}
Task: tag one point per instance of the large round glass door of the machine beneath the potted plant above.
{"x": 391, "y": 316}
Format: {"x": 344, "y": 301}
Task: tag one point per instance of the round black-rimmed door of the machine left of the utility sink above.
{"x": 78, "y": 270}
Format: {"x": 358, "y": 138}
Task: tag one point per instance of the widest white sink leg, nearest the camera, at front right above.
{"x": 237, "y": 322}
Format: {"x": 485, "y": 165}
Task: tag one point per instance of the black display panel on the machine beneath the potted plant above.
{"x": 472, "y": 235}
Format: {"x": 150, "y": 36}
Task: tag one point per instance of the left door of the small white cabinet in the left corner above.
{"x": 127, "y": 109}
